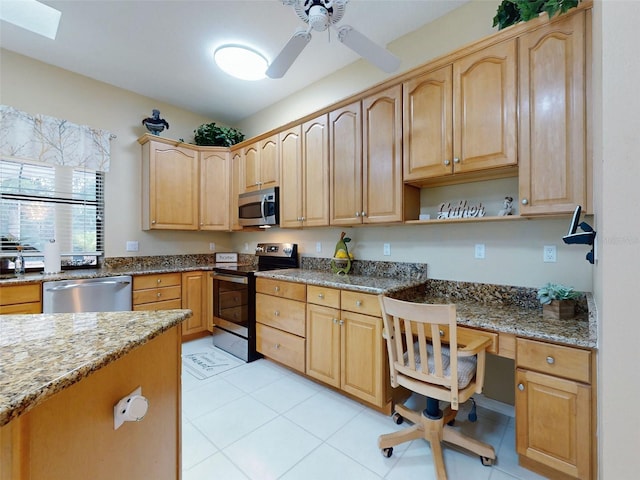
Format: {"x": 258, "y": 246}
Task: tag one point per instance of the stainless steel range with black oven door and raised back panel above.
{"x": 234, "y": 298}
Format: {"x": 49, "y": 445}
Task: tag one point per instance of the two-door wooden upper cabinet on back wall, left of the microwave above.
{"x": 184, "y": 187}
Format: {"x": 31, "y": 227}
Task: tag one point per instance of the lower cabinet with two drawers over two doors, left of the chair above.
{"x": 345, "y": 348}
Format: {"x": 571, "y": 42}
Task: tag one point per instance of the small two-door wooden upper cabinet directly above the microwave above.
{"x": 262, "y": 164}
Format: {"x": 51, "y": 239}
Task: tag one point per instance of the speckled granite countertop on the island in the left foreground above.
{"x": 41, "y": 355}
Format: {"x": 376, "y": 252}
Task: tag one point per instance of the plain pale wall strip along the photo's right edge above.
{"x": 616, "y": 152}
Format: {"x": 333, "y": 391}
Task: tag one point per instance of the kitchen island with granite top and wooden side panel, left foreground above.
{"x": 61, "y": 376}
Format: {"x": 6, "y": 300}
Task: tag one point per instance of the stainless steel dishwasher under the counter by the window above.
{"x": 109, "y": 294}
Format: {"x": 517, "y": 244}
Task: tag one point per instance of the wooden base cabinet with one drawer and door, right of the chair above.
{"x": 554, "y": 414}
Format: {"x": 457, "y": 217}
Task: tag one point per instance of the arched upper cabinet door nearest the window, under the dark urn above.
{"x": 173, "y": 187}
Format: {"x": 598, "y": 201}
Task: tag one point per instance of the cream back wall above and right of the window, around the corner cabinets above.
{"x": 35, "y": 87}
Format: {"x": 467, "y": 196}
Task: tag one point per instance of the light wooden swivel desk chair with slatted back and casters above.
{"x": 420, "y": 362}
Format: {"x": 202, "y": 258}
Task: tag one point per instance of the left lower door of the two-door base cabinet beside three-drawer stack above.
{"x": 323, "y": 344}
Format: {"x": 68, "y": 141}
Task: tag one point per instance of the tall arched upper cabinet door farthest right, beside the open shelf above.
{"x": 552, "y": 176}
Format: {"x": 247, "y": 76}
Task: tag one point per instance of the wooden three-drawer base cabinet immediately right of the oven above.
{"x": 280, "y": 321}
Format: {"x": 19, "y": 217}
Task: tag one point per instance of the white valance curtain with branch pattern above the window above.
{"x": 53, "y": 141}
